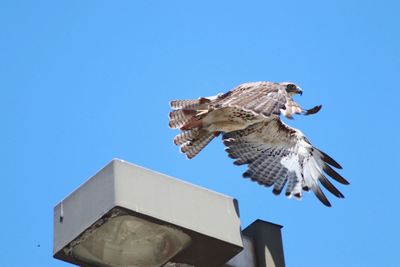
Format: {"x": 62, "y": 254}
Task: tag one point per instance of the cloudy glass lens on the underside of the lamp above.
{"x": 126, "y": 240}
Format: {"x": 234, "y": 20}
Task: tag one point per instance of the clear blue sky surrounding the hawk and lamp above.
{"x": 82, "y": 82}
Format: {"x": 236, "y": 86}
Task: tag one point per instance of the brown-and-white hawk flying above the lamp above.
{"x": 248, "y": 118}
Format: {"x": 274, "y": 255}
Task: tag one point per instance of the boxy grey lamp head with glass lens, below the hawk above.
{"x": 126, "y": 215}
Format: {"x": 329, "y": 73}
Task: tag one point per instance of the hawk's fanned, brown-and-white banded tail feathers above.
{"x": 186, "y": 116}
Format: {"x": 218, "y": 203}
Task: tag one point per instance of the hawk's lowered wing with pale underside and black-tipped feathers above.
{"x": 277, "y": 154}
